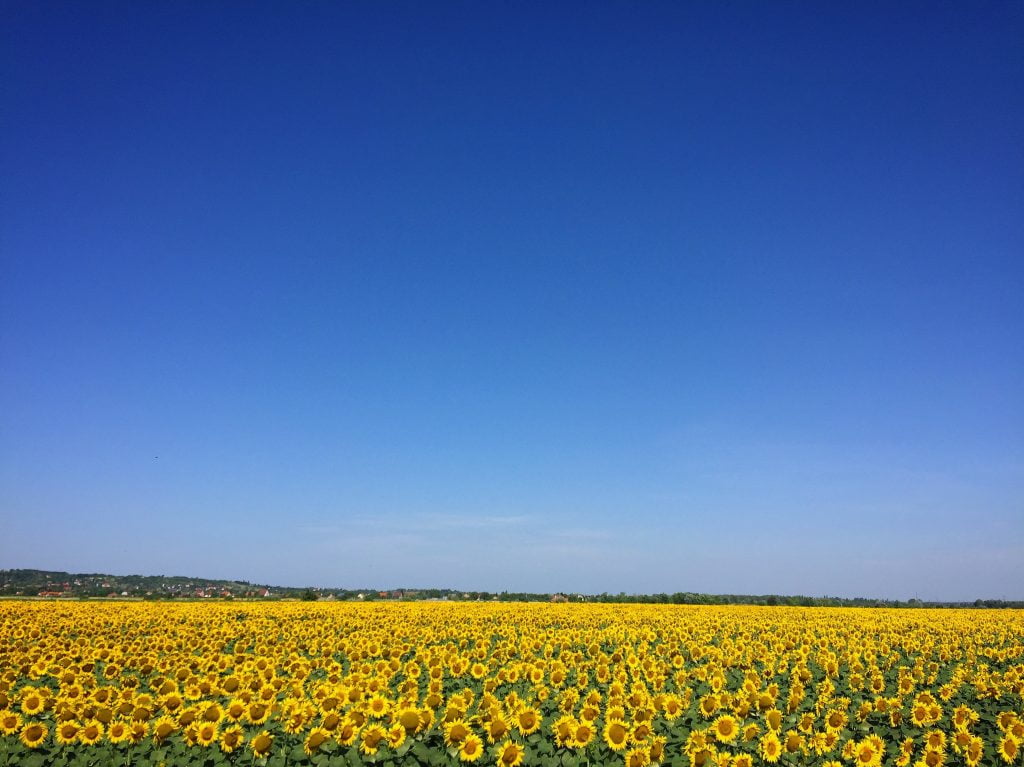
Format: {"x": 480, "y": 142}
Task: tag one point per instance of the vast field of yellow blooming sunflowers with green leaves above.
{"x": 552, "y": 686}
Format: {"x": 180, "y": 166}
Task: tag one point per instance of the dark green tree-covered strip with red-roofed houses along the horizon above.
{"x": 53, "y": 584}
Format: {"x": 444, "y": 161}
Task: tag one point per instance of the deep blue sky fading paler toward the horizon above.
{"x": 603, "y": 296}
